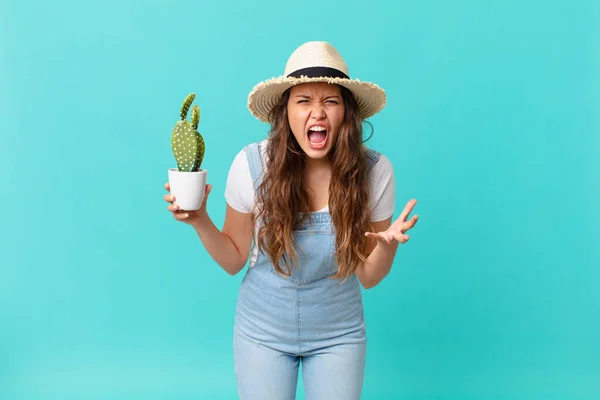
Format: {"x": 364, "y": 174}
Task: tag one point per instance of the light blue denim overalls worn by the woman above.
{"x": 307, "y": 316}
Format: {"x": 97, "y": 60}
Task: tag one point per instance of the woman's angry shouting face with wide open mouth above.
{"x": 315, "y": 114}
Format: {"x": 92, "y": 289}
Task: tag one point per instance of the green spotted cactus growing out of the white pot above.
{"x": 186, "y": 142}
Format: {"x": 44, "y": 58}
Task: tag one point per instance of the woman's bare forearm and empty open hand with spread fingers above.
{"x": 387, "y": 237}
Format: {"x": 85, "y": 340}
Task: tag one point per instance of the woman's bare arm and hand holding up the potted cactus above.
{"x": 230, "y": 247}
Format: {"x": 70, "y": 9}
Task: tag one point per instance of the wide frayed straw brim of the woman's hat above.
{"x": 264, "y": 96}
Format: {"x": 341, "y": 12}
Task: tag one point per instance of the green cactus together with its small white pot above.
{"x": 188, "y": 180}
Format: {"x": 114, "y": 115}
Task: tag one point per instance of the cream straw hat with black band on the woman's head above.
{"x": 314, "y": 62}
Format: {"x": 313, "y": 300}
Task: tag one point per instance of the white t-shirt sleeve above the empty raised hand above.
{"x": 382, "y": 190}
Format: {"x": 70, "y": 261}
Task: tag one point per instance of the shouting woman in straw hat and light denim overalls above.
{"x": 315, "y": 206}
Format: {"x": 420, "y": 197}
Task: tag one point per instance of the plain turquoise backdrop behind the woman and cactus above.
{"x": 492, "y": 124}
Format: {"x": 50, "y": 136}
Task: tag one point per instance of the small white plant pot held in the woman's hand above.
{"x": 188, "y": 188}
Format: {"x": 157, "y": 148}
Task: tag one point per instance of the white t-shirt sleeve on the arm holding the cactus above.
{"x": 239, "y": 192}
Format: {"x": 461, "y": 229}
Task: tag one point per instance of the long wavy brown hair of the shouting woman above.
{"x": 282, "y": 196}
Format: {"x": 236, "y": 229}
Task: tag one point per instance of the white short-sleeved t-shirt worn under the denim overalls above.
{"x": 239, "y": 190}
